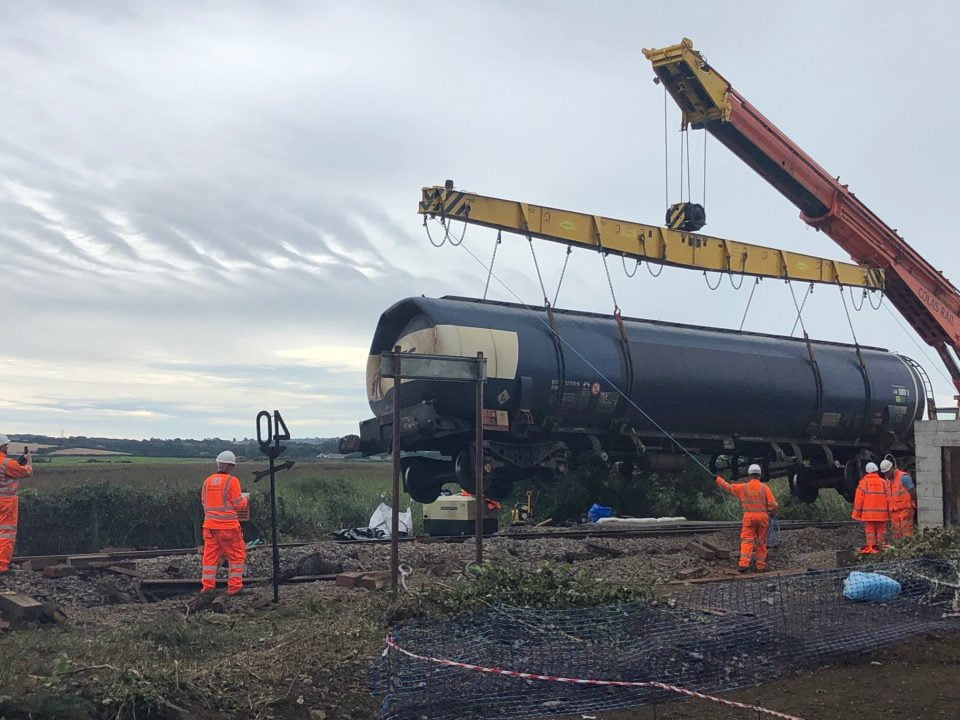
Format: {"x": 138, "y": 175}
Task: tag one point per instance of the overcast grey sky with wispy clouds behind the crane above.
{"x": 204, "y": 207}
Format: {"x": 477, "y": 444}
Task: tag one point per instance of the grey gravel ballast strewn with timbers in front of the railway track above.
{"x": 625, "y": 560}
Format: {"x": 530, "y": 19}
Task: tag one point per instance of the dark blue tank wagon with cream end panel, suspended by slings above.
{"x": 809, "y": 411}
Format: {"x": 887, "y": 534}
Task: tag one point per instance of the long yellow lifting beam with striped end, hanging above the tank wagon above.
{"x": 639, "y": 241}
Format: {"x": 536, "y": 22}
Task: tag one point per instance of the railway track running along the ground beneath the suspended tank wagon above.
{"x": 598, "y": 531}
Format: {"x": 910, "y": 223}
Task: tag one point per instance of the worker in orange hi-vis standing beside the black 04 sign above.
{"x": 222, "y": 535}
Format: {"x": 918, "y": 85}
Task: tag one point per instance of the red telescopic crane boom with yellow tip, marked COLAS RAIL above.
{"x": 925, "y": 298}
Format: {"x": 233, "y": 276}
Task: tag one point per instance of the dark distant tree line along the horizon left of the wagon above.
{"x": 181, "y": 447}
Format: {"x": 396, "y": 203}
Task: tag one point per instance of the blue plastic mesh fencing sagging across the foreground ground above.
{"x": 711, "y": 639}
